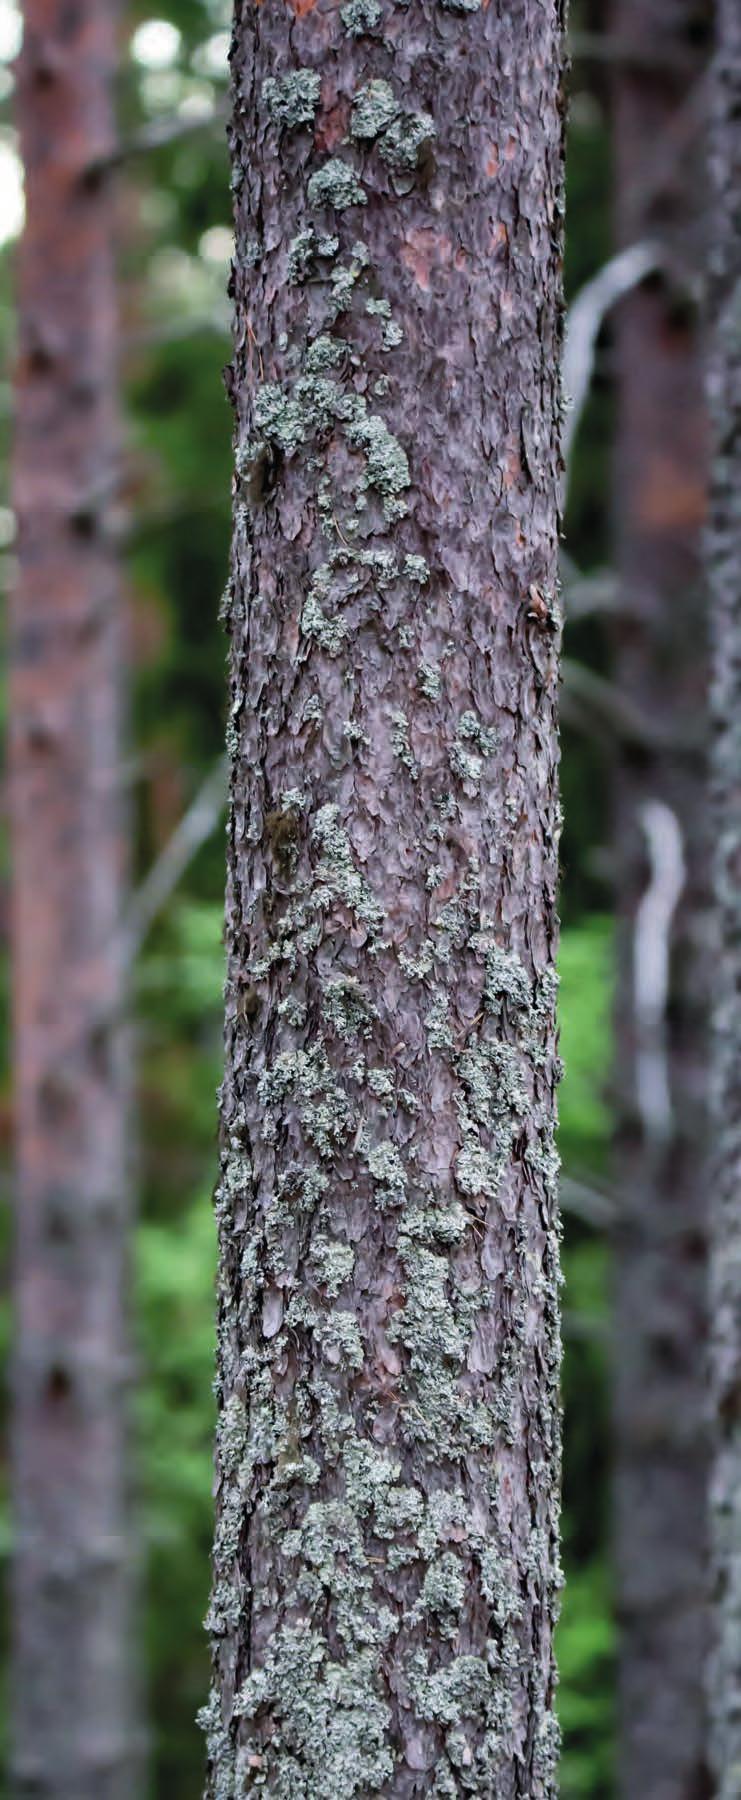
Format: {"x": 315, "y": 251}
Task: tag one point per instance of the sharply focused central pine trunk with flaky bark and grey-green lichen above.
{"x": 386, "y": 1561}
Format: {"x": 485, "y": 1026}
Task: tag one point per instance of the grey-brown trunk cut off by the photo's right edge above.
{"x": 726, "y": 589}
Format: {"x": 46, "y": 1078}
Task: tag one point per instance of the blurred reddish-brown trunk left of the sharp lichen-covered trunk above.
{"x": 71, "y": 1700}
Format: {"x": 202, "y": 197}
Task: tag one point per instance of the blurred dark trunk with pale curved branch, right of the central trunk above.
{"x": 661, "y": 1452}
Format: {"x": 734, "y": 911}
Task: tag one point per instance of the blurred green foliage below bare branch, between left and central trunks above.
{"x": 181, "y": 1050}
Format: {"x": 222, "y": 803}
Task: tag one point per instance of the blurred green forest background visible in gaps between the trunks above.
{"x": 175, "y": 244}
